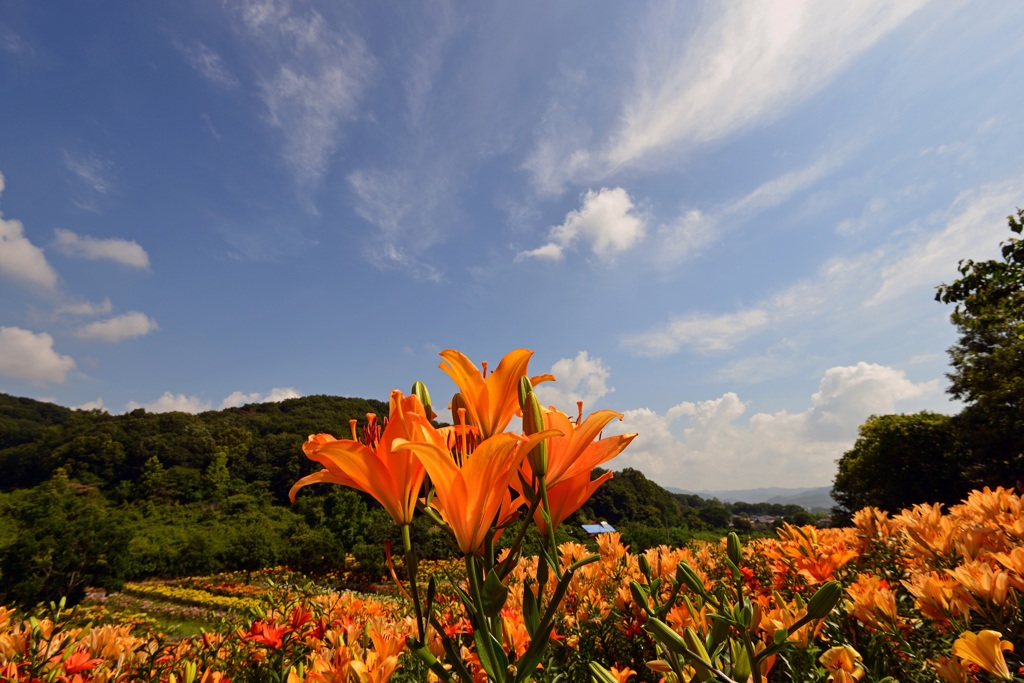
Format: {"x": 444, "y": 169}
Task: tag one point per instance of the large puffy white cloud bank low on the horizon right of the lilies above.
{"x": 708, "y": 445}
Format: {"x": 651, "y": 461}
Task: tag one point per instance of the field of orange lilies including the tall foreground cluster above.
{"x": 926, "y": 595}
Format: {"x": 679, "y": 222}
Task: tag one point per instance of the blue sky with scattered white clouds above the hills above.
{"x": 724, "y": 221}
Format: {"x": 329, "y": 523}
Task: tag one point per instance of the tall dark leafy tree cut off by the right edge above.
{"x": 989, "y": 361}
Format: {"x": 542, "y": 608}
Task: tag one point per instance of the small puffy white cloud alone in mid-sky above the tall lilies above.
{"x": 608, "y": 221}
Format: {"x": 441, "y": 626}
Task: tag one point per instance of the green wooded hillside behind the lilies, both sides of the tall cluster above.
{"x": 90, "y": 498}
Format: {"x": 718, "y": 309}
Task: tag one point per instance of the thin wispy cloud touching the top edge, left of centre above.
{"x": 315, "y": 83}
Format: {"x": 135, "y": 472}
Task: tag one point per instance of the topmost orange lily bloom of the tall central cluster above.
{"x": 493, "y": 401}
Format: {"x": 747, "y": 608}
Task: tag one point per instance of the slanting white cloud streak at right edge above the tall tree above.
{"x": 974, "y": 232}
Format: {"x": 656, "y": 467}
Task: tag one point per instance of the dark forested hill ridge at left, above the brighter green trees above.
{"x": 257, "y": 445}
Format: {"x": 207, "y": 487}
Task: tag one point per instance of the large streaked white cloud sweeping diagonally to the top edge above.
{"x": 741, "y": 65}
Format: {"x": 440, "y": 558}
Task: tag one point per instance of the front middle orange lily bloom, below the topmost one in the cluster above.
{"x": 471, "y": 495}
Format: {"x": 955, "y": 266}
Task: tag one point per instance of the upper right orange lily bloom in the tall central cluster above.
{"x": 575, "y": 451}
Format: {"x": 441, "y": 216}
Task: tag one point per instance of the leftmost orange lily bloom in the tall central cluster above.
{"x": 392, "y": 478}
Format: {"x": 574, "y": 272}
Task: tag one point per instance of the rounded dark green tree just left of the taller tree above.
{"x": 901, "y": 460}
